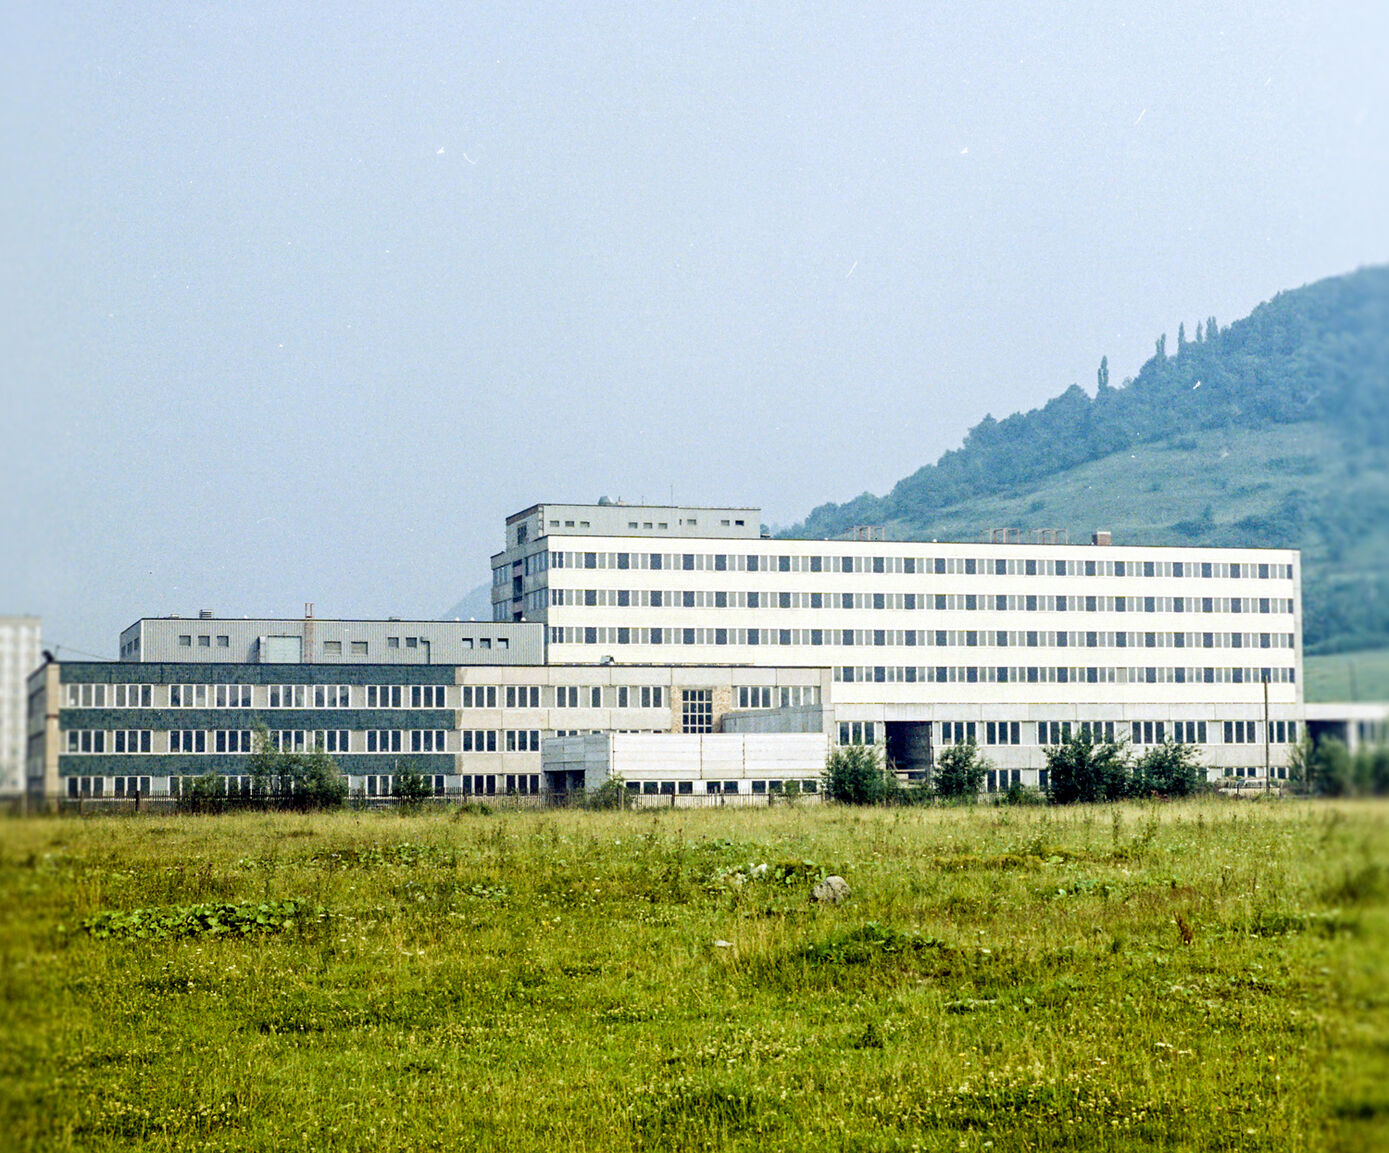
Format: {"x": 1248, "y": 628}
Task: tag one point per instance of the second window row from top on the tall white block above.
{"x": 909, "y": 602}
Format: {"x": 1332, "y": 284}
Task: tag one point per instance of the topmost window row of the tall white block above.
{"x": 915, "y": 566}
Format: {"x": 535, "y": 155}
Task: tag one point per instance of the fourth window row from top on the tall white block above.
{"x": 973, "y": 674}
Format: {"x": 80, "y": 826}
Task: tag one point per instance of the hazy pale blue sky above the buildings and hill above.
{"x": 301, "y": 301}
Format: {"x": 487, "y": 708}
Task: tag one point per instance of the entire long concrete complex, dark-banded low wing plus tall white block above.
{"x": 619, "y": 619}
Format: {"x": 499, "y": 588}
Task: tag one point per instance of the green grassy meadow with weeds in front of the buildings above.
{"x": 1198, "y": 976}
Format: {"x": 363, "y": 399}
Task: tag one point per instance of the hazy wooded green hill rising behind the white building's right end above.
{"x": 1270, "y": 433}
